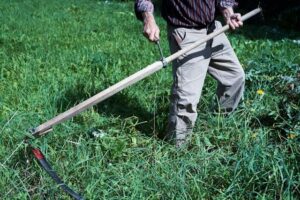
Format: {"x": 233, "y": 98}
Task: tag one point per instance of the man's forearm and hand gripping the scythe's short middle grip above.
{"x": 144, "y": 10}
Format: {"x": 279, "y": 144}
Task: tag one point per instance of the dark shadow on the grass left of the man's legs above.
{"x": 119, "y": 105}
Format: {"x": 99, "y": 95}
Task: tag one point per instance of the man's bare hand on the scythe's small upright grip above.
{"x": 151, "y": 30}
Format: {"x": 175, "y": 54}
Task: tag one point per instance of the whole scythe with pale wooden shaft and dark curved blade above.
{"x": 147, "y": 71}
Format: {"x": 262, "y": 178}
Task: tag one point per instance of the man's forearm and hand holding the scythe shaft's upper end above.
{"x": 234, "y": 20}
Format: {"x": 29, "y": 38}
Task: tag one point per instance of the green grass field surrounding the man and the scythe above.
{"x": 55, "y": 54}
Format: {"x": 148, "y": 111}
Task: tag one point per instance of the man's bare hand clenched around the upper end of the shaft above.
{"x": 234, "y": 20}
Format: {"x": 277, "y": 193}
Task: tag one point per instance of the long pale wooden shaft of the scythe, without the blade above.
{"x": 147, "y": 71}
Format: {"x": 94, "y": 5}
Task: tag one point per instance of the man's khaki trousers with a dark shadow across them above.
{"x": 189, "y": 71}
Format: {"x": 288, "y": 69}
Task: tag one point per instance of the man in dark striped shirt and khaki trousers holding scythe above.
{"x": 189, "y": 21}
